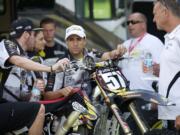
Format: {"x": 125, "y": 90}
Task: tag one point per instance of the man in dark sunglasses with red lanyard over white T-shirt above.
{"x": 140, "y": 44}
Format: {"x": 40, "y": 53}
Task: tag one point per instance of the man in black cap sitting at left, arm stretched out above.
{"x": 17, "y": 115}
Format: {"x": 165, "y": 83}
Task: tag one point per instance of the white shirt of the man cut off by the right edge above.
{"x": 169, "y": 67}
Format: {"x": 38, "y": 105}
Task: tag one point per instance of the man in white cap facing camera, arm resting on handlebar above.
{"x": 76, "y": 41}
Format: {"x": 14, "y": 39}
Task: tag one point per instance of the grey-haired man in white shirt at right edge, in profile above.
{"x": 167, "y": 18}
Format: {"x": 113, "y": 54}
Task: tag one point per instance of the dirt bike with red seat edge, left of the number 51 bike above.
{"x": 75, "y": 107}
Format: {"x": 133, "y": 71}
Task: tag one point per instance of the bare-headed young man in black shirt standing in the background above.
{"x": 52, "y": 48}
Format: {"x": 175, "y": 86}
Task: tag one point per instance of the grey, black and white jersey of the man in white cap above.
{"x": 79, "y": 78}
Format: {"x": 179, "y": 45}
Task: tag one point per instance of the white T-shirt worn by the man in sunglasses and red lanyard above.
{"x": 132, "y": 68}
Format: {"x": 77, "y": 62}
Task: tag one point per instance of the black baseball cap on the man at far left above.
{"x": 18, "y": 27}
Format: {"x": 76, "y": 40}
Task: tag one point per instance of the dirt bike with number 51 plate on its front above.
{"x": 114, "y": 90}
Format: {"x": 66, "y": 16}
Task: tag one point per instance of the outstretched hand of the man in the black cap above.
{"x": 60, "y": 65}
